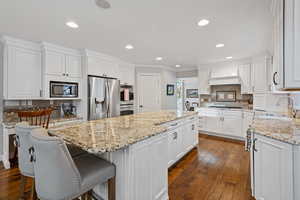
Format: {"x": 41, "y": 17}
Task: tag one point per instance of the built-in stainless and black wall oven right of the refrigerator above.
{"x": 126, "y": 100}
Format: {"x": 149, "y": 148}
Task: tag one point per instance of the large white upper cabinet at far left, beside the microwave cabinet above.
{"x": 22, "y": 69}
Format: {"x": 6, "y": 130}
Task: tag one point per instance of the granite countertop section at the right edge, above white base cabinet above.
{"x": 278, "y": 128}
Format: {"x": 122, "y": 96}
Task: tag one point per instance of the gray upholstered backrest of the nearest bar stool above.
{"x": 56, "y": 174}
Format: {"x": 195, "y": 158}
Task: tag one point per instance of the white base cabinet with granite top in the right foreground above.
{"x": 275, "y": 157}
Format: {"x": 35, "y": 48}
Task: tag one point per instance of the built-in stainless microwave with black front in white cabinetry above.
{"x": 63, "y": 89}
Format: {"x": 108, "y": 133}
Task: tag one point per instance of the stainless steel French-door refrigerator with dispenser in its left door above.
{"x": 103, "y": 97}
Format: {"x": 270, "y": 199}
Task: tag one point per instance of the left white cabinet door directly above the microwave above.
{"x": 55, "y": 63}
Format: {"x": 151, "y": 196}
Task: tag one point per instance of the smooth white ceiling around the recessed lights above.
{"x": 166, "y": 28}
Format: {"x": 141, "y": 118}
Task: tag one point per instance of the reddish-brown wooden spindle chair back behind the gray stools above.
{"x": 36, "y": 117}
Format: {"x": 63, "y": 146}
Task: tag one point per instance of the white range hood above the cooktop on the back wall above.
{"x": 226, "y": 75}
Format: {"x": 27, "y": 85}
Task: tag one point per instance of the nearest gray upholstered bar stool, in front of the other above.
{"x": 58, "y": 176}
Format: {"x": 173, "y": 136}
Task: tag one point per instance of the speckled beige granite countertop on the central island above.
{"x": 111, "y": 134}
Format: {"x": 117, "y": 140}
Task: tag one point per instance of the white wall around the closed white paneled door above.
{"x": 167, "y": 77}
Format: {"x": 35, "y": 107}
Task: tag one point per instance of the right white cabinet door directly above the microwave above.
{"x": 73, "y": 66}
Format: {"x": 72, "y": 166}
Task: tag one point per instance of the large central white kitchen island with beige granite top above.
{"x": 142, "y": 146}
